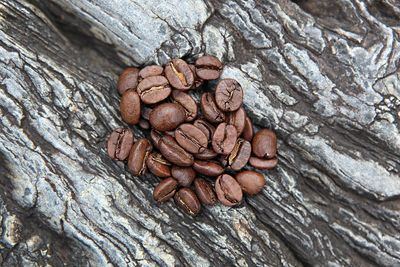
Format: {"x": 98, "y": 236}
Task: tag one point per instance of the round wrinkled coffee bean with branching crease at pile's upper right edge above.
{"x": 229, "y": 95}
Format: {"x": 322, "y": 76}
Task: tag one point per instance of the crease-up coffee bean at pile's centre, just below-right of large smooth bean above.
{"x": 191, "y": 138}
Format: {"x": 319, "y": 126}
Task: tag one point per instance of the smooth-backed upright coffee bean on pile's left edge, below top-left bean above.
{"x": 130, "y": 107}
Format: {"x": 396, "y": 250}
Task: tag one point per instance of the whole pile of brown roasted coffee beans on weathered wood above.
{"x": 199, "y": 151}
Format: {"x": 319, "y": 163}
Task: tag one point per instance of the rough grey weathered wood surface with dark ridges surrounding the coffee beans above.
{"x": 324, "y": 74}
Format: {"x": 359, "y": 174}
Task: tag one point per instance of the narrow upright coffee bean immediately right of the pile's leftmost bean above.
{"x": 138, "y": 155}
